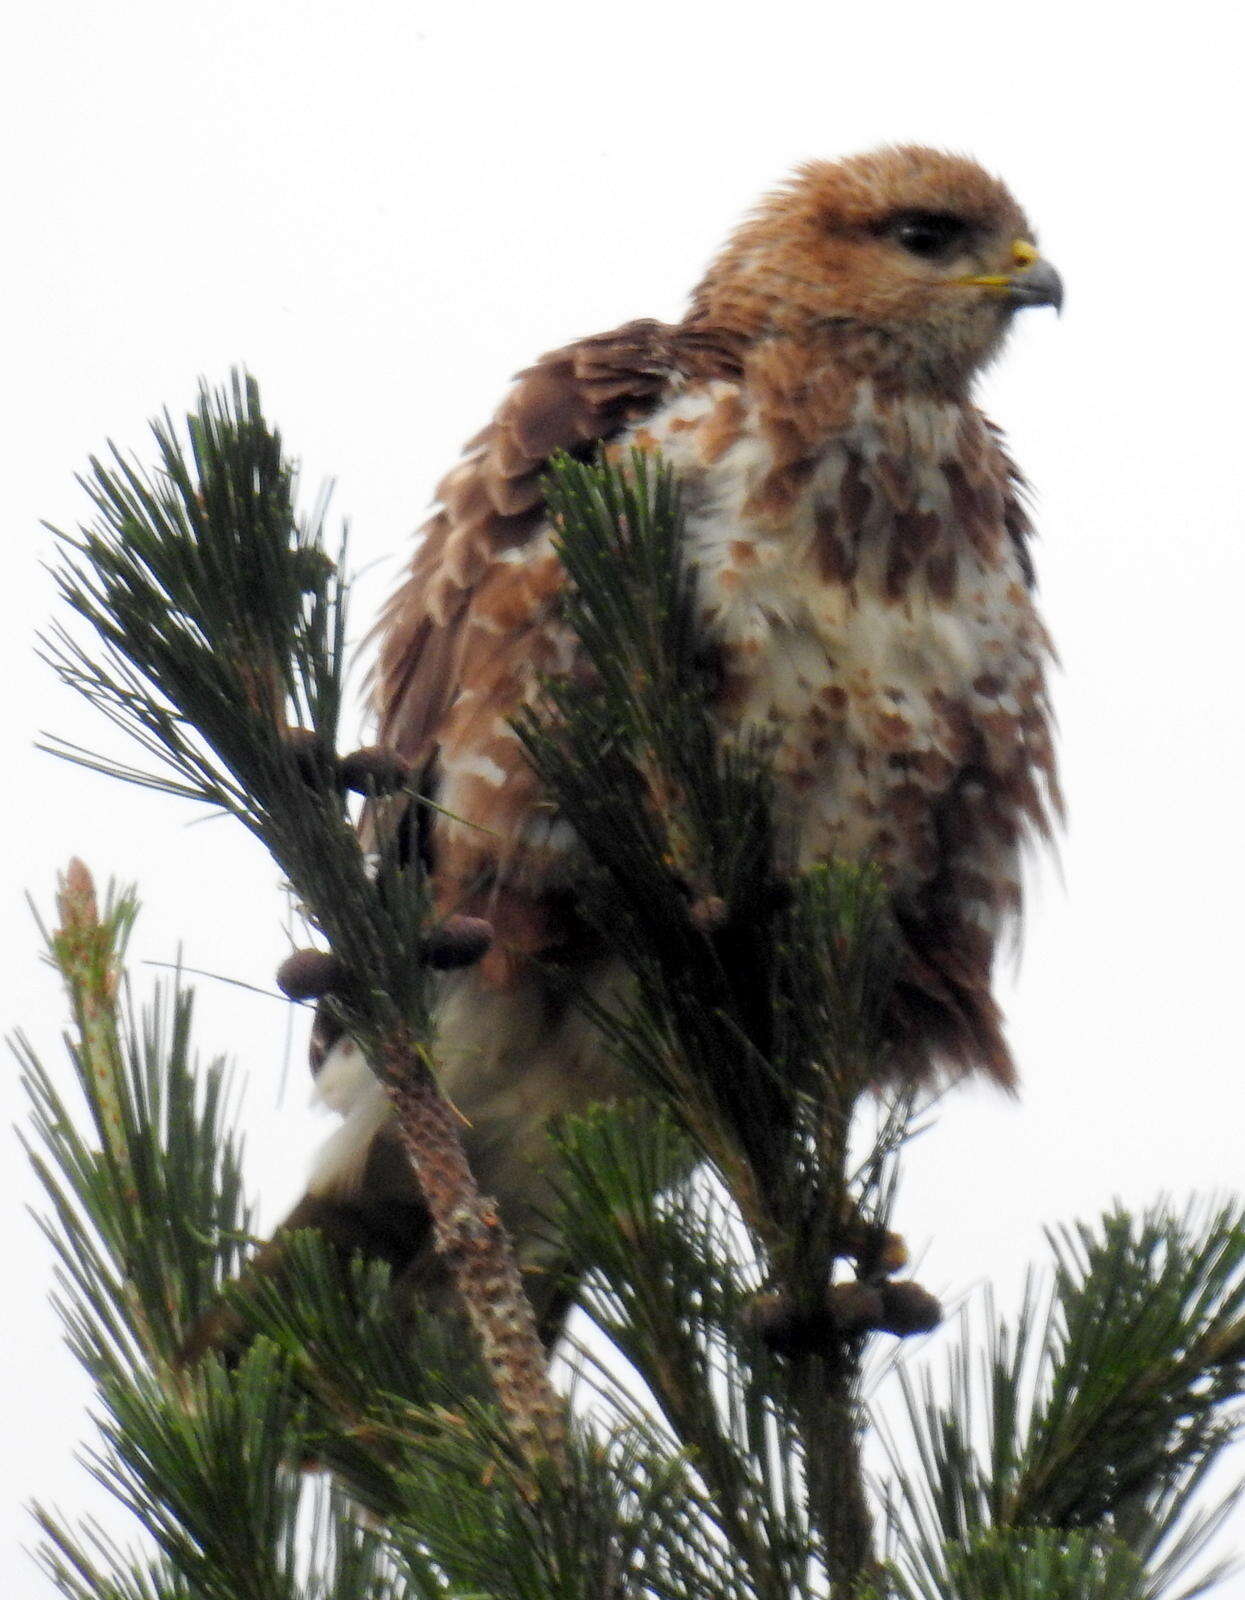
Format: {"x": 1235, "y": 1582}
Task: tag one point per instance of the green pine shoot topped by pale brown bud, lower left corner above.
{"x": 146, "y": 1220}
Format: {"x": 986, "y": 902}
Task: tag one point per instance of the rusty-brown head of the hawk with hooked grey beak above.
{"x": 907, "y": 258}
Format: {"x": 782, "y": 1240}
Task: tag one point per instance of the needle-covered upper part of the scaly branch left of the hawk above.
{"x": 218, "y": 626}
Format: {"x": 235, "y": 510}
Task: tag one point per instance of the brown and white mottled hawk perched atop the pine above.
{"x": 865, "y": 582}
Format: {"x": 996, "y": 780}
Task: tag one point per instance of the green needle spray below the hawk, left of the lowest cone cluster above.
{"x": 671, "y": 1284}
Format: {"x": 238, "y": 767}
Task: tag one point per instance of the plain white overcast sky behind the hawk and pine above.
{"x": 385, "y": 210}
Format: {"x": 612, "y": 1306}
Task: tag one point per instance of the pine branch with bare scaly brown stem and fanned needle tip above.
{"x": 220, "y": 631}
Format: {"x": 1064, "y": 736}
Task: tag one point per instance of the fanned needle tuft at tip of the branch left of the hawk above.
{"x": 215, "y": 609}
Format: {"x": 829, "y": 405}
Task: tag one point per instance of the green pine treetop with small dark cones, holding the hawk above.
{"x": 727, "y": 1231}
